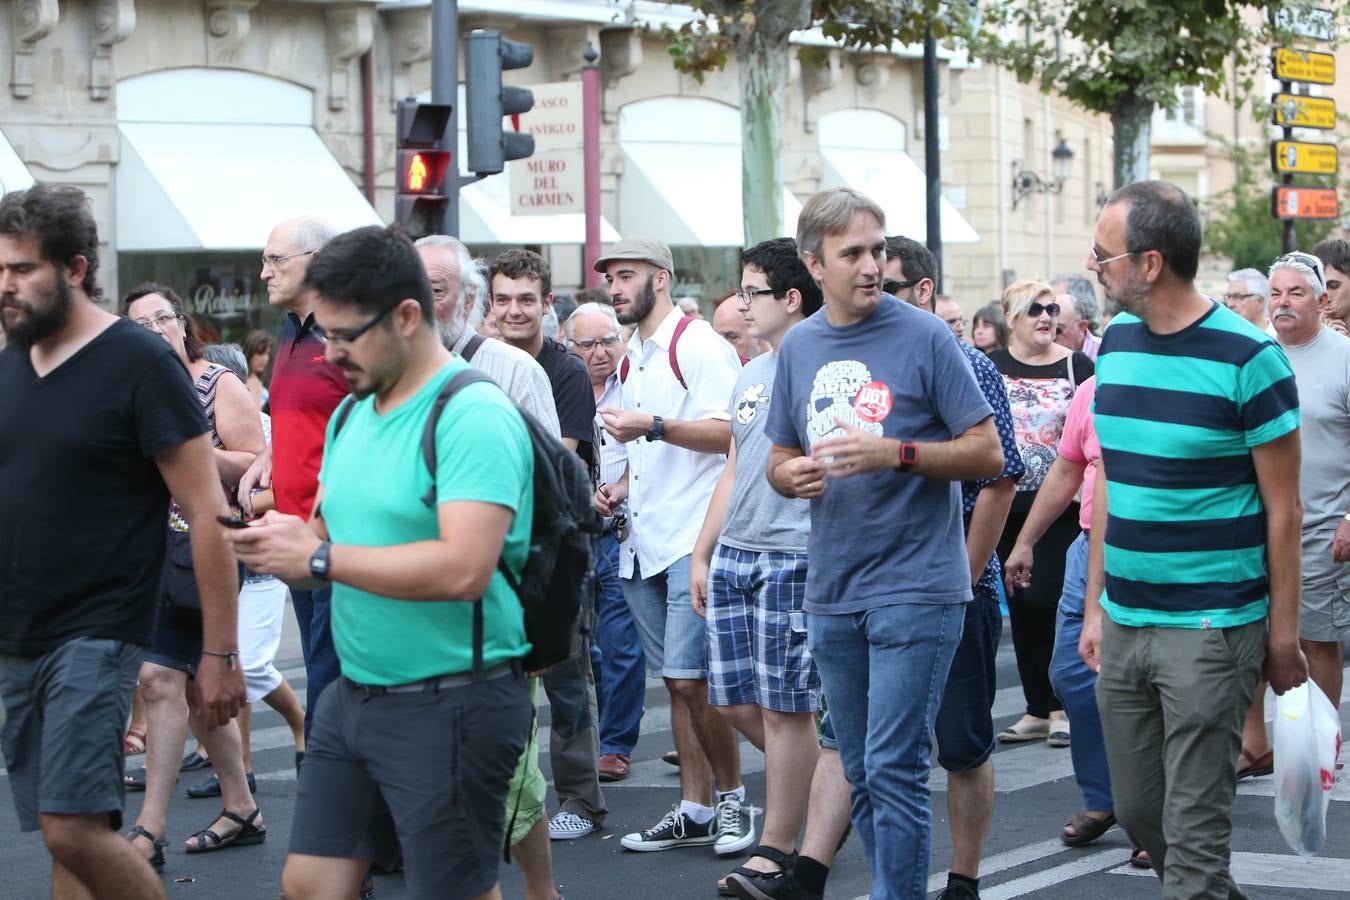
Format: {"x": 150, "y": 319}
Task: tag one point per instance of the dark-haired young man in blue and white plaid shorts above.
{"x": 751, "y": 589}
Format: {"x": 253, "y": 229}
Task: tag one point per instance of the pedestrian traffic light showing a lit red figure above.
{"x": 422, "y": 167}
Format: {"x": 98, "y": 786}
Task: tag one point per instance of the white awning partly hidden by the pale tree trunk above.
{"x": 689, "y": 194}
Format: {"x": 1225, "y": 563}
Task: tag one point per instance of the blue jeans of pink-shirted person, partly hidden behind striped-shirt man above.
{"x": 1075, "y": 685}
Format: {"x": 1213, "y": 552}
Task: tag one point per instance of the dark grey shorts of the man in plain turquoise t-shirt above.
{"x": 430, "y": 768}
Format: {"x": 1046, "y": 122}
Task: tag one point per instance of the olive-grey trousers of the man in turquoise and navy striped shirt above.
{"x": 1172, "y": 704}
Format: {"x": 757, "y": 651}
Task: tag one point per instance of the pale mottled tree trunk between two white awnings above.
{"x": 763, "y": 68}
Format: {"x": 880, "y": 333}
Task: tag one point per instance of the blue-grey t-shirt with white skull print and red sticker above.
{"x": 886, "y": 538}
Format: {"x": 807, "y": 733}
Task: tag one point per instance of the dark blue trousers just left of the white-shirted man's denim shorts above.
{"x": 616, "y": 656}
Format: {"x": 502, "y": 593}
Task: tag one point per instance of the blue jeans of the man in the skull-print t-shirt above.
{"x": 884, "y": 673}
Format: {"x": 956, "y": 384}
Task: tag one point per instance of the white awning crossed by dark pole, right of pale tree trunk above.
{"x": 898, "y": 186}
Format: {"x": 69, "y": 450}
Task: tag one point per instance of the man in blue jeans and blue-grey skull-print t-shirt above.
{"x": 877, "y": 418}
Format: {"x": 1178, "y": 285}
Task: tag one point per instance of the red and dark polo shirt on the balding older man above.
{"x": 306, "y": 389}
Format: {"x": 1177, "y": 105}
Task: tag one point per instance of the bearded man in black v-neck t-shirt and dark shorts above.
{"x": 99, "y": 426}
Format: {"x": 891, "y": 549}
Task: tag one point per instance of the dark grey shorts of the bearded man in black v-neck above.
{"x": 63, "y": 740}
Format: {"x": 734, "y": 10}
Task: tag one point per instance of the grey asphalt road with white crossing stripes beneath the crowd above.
{"x": 1024, "y": 857}
